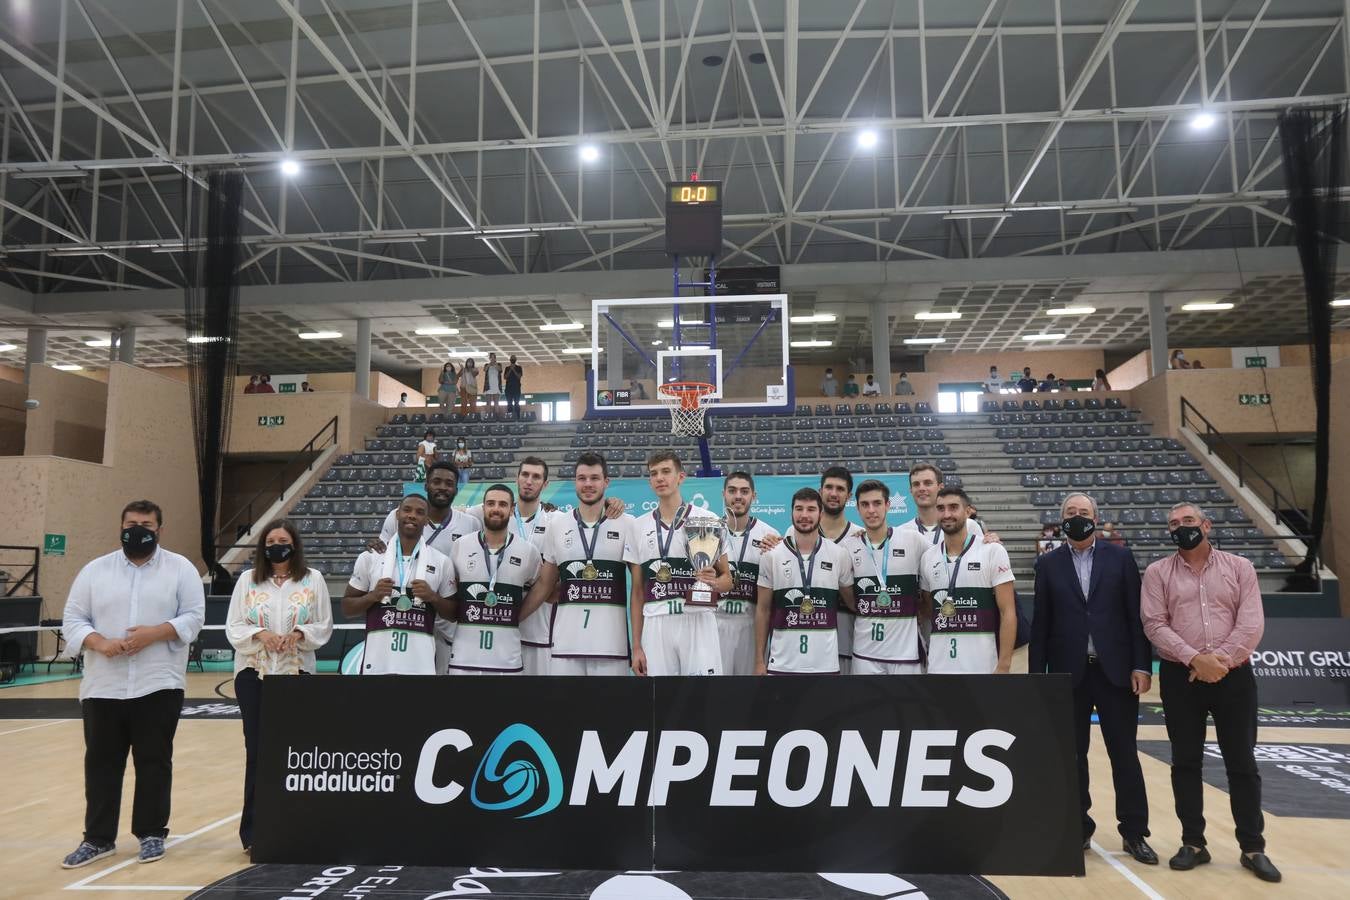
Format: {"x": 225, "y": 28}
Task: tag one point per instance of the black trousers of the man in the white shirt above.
{"x": 145, "y": 727}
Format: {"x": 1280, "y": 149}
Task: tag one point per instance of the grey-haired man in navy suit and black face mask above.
{"x": 1087, "y": 624}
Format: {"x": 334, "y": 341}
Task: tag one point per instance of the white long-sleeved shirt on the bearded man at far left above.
{"x": 113, "y": 594}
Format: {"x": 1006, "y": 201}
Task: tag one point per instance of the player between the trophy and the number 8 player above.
{"x": 735, "y": 615}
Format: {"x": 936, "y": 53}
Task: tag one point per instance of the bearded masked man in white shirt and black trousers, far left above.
{"x": 133, "y": 613}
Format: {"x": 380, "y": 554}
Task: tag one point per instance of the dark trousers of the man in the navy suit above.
{"x": 1118, "y": 714}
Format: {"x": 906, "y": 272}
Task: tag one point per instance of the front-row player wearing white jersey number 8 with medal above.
{"x": 803, "y": 584}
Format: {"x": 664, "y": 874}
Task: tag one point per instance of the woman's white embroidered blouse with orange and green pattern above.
{"x": 265, "y": 608}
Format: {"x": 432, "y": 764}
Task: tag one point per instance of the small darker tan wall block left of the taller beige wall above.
{"x": 71, "y": 416}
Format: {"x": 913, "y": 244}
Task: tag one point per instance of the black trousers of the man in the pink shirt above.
{"x": 1233, "y": 704}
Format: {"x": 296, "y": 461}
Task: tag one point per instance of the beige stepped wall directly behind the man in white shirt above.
{"x": 148, "y": 454}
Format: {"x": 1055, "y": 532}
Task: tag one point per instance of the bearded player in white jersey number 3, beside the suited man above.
{"x": 967, "y": 593}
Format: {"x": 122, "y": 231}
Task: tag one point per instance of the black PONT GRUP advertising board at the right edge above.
{"x": 1303, "y": 662}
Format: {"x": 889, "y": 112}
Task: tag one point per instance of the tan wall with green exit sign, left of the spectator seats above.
{"x": 304, "y": 416}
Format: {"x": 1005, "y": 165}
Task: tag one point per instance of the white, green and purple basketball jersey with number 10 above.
{"x": 488, "y": 639}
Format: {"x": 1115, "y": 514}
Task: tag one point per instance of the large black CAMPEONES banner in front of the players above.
{"x": 925, "y": 774}
